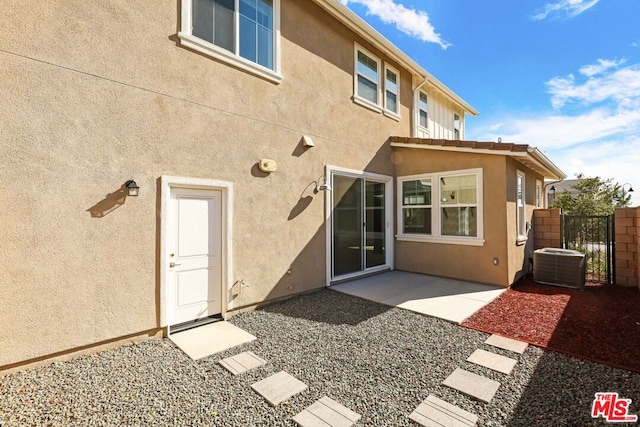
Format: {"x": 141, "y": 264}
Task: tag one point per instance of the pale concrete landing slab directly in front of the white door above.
{"x": 210, "y": 339}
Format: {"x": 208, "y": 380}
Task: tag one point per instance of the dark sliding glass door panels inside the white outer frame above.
{"x": 359, "y": 225}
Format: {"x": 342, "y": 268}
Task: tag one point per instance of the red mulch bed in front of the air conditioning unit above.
{"x": 601, "y": 323}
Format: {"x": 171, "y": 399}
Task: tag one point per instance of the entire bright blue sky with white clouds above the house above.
{"x": 560, "y": 75}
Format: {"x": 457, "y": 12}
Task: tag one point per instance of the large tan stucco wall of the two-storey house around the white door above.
{"x": 99, "y": 93}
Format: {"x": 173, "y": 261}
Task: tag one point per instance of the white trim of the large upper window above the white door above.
{"x": 187, "y": 39}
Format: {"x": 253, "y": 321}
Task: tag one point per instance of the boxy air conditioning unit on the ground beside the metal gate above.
{"x": 559, "y": 267}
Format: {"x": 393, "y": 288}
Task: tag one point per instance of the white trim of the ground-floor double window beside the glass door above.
{"x": 437, "y": 237}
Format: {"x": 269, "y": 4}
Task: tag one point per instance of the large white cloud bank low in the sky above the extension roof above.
{"x": 598, "y": 134}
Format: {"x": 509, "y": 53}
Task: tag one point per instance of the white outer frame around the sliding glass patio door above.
{"x": 330, "y": 171}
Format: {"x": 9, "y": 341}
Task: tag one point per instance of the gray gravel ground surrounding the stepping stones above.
{"x": 379, "y": 361}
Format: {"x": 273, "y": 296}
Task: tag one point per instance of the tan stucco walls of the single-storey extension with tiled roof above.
{"x": 473, "y": 263}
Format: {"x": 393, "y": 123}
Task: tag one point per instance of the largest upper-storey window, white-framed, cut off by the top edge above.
{"x": 244, "y": 33}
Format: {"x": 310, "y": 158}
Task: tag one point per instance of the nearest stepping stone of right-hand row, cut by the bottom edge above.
{"x": 434, "y": 412}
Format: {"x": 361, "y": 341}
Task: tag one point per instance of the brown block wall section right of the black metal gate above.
{"x": 627, "y": 229}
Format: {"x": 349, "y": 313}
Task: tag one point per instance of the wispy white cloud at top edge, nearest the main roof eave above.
{"x": 414, "y": 23}
